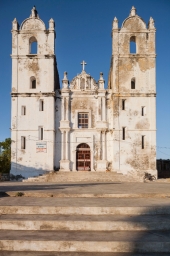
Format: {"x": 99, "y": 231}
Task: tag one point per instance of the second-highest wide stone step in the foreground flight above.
{"x": 84, "y": 222}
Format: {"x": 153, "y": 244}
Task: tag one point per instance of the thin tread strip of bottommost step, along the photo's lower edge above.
{"x": 17, "y": 253}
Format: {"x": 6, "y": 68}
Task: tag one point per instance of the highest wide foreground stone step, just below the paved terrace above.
{"x": 85, "y": 206}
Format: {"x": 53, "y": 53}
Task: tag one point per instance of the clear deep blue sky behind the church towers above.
{"x": 83, "y": 32}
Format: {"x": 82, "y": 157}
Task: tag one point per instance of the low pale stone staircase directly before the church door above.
{"x": 83, "y": 176}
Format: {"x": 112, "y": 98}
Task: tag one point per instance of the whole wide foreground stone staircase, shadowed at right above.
{"x": 84, "y": 226}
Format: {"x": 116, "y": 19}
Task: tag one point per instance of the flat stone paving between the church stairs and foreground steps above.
{"x": 120, "y": 189}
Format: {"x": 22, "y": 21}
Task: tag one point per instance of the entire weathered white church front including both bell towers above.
{"x": 80, "y": 125}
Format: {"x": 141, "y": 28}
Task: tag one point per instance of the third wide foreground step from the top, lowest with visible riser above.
{"x": 86, "y": 241}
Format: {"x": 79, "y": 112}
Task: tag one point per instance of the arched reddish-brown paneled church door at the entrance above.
{"x": 83, "y": 162}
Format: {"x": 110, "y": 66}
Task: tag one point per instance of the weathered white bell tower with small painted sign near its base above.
{"x": 34, "y": 81}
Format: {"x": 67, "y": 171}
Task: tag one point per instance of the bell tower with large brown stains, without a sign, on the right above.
{"x": 132, "y": 84}
